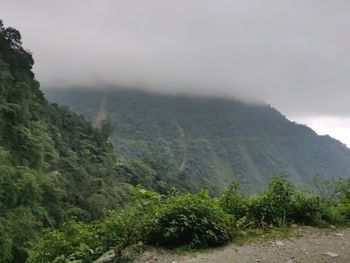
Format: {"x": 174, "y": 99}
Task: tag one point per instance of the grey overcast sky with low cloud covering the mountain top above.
{"x": 292, "y": 54}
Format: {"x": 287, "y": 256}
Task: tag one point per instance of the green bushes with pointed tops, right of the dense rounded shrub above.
{"x": 280, "y": 205}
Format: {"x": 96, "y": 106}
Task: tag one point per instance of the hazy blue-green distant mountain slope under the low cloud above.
{"x": 213, "y": 141}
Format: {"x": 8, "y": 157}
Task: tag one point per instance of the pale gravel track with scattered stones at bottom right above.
{"x": 305, "y": 245}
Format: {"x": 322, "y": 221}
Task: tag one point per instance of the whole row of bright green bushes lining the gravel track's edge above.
{"x": 189, "y": 221}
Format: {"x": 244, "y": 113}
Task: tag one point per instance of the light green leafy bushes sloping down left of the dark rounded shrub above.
{"x": 82, "y": 242}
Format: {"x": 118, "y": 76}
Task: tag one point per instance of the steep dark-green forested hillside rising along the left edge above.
{"x": 53, "y": 163}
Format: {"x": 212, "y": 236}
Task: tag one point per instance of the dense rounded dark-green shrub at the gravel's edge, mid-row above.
{"x": 193, "y": 220}
